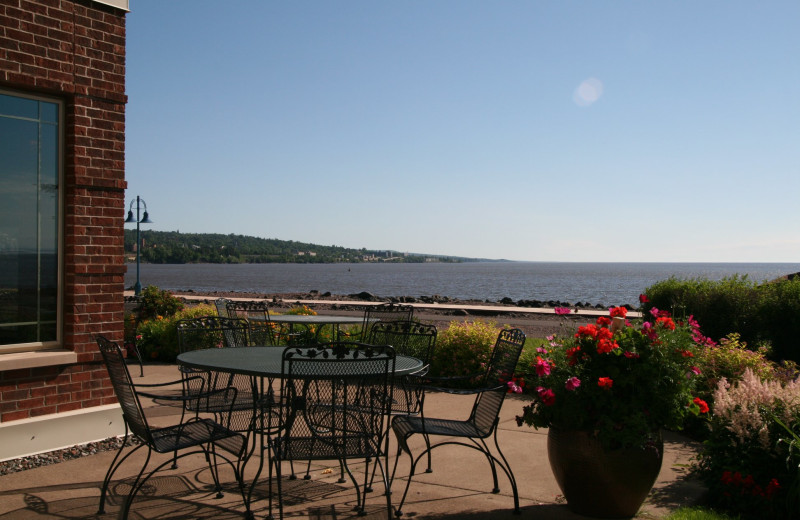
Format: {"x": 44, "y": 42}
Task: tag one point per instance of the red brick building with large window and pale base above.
{"x": 62, "y": 206}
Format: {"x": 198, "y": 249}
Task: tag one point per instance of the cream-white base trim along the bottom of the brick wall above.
{"x": 62, "y": 430}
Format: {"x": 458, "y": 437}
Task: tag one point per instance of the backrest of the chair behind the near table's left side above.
{"x": 211, "y": 332}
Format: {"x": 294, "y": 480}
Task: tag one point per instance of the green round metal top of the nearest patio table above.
{"x": 263, "y": 361}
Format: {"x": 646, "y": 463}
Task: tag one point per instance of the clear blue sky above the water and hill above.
{"x": 525, "y": 130}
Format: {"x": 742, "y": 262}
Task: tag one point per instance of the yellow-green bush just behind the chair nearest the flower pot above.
{"x": 464, "y": 348}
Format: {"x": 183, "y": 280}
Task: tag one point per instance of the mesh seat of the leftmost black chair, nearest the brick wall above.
{"x": 195, "y": 433}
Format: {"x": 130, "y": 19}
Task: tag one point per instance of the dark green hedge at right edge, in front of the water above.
{"x": 768, "y": 313}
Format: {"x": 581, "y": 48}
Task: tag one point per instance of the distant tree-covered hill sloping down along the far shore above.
{"x": 174, "y": 247}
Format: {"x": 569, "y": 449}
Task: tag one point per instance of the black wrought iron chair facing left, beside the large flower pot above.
{"x": 481, "y": 423}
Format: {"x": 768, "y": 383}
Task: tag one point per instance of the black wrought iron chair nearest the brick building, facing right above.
{"x": 195, "y": 435}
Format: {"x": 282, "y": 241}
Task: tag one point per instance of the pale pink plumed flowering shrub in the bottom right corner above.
{"x": 749, "y": 461}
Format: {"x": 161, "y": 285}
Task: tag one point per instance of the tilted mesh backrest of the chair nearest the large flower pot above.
{"x": 499, "y": 371}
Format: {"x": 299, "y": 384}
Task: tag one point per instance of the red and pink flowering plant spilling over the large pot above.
{"x": 619, "y": 381}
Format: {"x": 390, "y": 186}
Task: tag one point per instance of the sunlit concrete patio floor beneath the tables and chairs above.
{"x": 458, "y": 488}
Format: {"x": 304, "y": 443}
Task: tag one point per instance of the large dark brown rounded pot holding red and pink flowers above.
{"x": 599, "y": 482}
